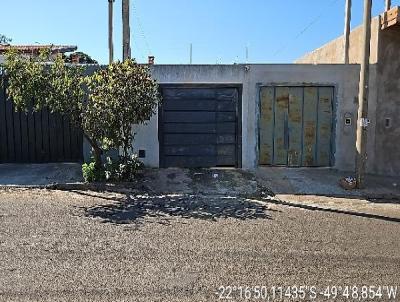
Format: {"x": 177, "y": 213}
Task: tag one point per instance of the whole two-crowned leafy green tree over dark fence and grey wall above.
{"x": 104, "y": 105}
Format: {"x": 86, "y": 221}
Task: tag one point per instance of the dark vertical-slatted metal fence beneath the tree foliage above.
{"x": 36, "y": 137}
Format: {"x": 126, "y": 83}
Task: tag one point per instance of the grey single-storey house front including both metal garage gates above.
{"x": 253, "y": 114}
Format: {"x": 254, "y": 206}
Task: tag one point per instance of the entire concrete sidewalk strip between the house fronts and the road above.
{"x": 315, "y": 189}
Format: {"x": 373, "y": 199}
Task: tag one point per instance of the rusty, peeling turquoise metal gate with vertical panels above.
{"x": 296, "y": 126}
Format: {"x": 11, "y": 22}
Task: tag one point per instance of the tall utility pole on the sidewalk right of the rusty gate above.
{"x": 362, "y": 125}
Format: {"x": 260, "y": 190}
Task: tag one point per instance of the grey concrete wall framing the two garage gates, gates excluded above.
{"x": 343, "y": 78}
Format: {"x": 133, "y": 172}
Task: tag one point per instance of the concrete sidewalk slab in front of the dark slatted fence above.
{"x": 40, "y": 174}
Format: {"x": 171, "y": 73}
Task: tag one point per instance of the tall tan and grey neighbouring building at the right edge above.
{"x": 384, "y": 86}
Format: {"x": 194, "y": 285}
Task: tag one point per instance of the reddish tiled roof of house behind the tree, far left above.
{"x": 34, "y": 50}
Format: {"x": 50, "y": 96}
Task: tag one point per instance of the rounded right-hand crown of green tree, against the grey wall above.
{"x": 123, "y": 94}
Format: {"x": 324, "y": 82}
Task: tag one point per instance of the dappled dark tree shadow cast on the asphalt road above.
{"x": 134, "y": 209}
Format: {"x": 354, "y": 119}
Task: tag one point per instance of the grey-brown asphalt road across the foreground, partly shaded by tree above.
{"x": 66, "y": 246}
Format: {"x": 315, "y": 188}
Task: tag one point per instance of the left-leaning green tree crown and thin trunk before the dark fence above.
{"x": 34, "y": 84}
